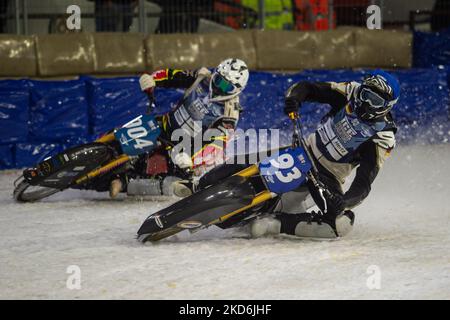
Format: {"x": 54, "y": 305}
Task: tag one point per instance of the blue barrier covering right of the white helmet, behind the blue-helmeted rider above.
{"x": 424, "y": 102}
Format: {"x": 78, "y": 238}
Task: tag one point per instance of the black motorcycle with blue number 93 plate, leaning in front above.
{"x": 241, "y": 197}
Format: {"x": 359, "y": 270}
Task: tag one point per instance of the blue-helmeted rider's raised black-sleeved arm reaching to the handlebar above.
{"x": 332, "y": 93}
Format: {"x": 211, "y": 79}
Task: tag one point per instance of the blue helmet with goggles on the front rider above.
{"x": 376, "y": 96}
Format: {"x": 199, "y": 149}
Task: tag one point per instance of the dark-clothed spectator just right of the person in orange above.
{"x": 351, "y": 12}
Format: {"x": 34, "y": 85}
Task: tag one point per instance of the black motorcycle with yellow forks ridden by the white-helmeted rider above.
{"x": 86, "y": 166}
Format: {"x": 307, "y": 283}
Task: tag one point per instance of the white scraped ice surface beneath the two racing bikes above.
{"x": 402, "y": 229}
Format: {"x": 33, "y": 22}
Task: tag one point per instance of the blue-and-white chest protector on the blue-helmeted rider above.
{"x": 339, "y": 136}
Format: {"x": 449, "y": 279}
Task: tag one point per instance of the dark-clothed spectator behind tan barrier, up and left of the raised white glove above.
{"x": 114, "y": 15}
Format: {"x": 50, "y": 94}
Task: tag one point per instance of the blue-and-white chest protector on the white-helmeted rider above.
{"x": 196, "y": 112}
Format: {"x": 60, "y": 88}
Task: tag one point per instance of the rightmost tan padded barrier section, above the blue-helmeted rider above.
{"x": 336, "y": 49}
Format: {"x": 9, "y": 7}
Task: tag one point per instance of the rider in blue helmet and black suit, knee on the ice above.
{"x": 357, "y": 133}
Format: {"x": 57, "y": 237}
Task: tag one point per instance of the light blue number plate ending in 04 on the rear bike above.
{"x": 139, "y": 135}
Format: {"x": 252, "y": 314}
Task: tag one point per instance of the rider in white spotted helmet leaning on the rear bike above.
{"x": 212, "y": 99}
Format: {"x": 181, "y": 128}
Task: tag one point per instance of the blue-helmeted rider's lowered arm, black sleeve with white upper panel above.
{"x": 373, "y": 153}
